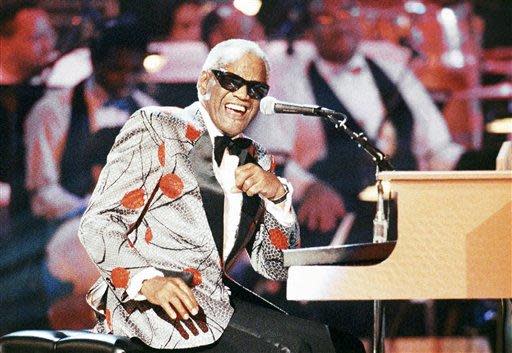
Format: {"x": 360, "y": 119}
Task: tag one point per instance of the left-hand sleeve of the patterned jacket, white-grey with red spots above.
{"x": 130, "y": 176}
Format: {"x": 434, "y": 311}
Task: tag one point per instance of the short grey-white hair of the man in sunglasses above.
{"x": 228, "y": 52}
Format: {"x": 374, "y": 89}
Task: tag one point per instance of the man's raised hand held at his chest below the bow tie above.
{"x": 252, "y": 179}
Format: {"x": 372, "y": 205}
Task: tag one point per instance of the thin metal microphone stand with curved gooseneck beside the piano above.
{"x": 380, "y": 223}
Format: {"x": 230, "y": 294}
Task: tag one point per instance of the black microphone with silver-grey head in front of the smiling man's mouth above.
{"x": 270, "y": 105}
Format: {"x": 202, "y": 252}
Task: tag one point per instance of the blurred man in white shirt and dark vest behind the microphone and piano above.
{"x": 381, "y": 98}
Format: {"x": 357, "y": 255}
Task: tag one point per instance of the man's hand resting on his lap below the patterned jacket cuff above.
{"x": 172, "y": 294}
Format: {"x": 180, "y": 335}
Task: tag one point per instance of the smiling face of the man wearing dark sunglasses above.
{"x": 231, "y": 112}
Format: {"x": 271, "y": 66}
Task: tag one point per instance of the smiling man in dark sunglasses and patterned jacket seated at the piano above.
{"x": 171, "y": 211}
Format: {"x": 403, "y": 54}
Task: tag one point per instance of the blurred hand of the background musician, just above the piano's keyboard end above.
{"x": 321, "y": 208}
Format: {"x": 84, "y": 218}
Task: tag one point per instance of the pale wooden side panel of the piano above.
{"x": 454, "y": 241}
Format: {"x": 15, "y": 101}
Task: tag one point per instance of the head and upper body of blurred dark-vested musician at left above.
{"x": 61, "y": 122}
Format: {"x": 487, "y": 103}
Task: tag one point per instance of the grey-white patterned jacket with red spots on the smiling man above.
{"x": 153, "y": 170}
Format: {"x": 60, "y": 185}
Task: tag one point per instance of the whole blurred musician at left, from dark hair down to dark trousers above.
{"x": 57, "y": 174}
